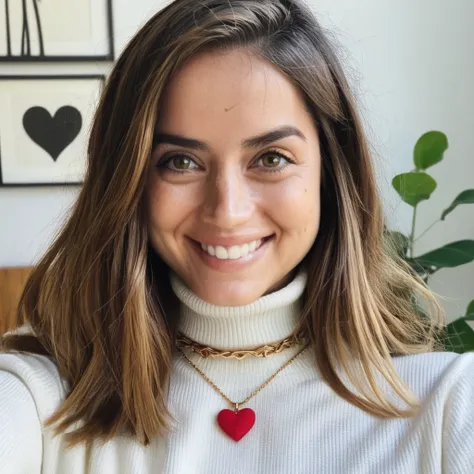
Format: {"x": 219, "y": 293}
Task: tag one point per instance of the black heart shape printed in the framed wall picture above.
{"x": 53, "y": 134}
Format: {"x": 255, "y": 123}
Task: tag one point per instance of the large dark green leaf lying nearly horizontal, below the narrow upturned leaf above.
{"x": 451, "y": 255}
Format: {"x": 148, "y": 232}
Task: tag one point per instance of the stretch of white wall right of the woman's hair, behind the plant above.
{"x": 413, "y": 70}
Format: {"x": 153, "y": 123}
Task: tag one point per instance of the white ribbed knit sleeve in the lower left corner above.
{"x": 20, "y": 428}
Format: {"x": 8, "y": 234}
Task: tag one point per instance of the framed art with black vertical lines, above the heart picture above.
{"x": 56, "y": 30}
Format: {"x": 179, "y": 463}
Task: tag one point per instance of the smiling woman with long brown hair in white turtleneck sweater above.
{"x": 221, "y": 299}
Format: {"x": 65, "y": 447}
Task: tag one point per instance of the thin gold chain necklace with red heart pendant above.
{"x": 237, "y": 423}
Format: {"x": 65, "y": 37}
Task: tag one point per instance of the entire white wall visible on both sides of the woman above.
{"x": 412, "y": 67}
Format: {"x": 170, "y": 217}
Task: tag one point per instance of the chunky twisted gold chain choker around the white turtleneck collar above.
{"x": 183, "y": 341}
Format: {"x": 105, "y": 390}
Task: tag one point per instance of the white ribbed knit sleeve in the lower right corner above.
{"x": 458, "y": 429}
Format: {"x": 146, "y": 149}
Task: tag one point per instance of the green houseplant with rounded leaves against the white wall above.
{"x": 415, "y": 187}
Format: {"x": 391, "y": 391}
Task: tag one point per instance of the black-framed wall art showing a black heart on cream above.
{"x": 44, "y": 128}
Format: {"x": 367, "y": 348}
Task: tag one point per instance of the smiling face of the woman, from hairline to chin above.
{"x": 234, "y": 182}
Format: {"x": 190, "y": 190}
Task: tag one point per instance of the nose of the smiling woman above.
{"x": 228, "y": 200}
